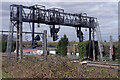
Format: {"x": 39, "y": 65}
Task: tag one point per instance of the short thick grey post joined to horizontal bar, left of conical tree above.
{"x": 45, "y": 44}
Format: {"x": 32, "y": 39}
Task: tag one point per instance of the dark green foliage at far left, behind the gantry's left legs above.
{"x": 3, "y": 46}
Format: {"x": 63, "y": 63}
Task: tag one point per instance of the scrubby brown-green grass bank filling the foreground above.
{"x": 54, "y": 67}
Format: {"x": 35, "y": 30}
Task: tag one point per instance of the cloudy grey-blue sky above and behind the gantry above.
{"x": 105, "y": 12}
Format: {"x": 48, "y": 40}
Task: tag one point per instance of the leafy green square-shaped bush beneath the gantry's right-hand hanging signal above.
{"x": 83, "y": 48}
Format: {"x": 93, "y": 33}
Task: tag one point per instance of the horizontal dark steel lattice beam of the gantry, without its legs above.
{"x": 53, "y": 16}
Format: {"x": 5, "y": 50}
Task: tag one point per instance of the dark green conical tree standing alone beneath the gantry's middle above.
{"x": 62, "y": 46}
